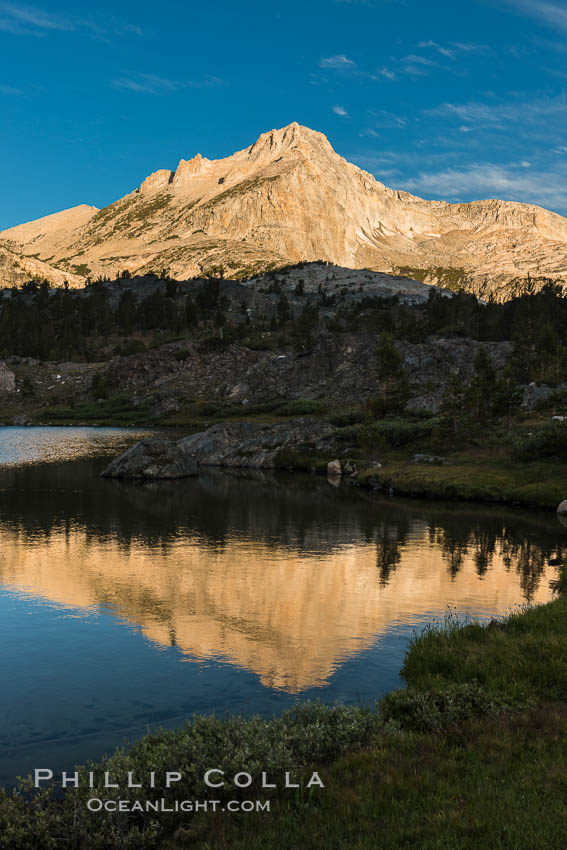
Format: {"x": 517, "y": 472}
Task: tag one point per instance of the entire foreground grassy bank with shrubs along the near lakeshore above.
{"x": 472, "y": 753}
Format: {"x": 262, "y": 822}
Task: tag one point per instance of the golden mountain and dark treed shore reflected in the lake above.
{"x": 285, "y": 577}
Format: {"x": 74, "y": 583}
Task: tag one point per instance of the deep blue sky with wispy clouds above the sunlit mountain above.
{"x": 453, "y": 101}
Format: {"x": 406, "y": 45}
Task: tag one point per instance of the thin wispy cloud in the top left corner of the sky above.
{"x": 21, "y": 19}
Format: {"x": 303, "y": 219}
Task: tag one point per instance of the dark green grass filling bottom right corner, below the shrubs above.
{"x": 499, "y": 784}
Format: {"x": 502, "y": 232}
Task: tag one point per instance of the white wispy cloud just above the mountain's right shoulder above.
{"x": 481, "y": 180}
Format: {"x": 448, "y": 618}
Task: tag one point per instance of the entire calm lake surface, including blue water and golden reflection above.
{"x": 125, "y": 605}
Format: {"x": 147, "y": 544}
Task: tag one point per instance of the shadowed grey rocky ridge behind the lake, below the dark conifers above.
{"x": 338, "y": 368}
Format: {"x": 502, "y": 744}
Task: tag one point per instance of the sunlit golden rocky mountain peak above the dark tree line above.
{"x": 289, "y": 197}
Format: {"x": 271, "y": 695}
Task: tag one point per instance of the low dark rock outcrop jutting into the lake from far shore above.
{"x": 236, "y": 444}
